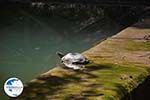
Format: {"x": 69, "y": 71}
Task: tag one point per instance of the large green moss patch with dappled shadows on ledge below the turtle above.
{"x": 105, "y": 81}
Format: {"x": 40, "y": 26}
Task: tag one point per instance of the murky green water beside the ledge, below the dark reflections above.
{"x": 28, "y": 42}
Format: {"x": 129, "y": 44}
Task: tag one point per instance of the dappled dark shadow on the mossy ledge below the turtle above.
{"x": 50, "y": 85}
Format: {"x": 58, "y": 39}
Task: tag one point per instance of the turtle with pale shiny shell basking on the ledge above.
{"x": 73, "y": 60}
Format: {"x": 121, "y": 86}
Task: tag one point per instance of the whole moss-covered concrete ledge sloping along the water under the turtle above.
{"x": 118, "y": 65}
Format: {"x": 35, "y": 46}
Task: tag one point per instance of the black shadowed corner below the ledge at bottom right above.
{"x": 142, "y": 92}
